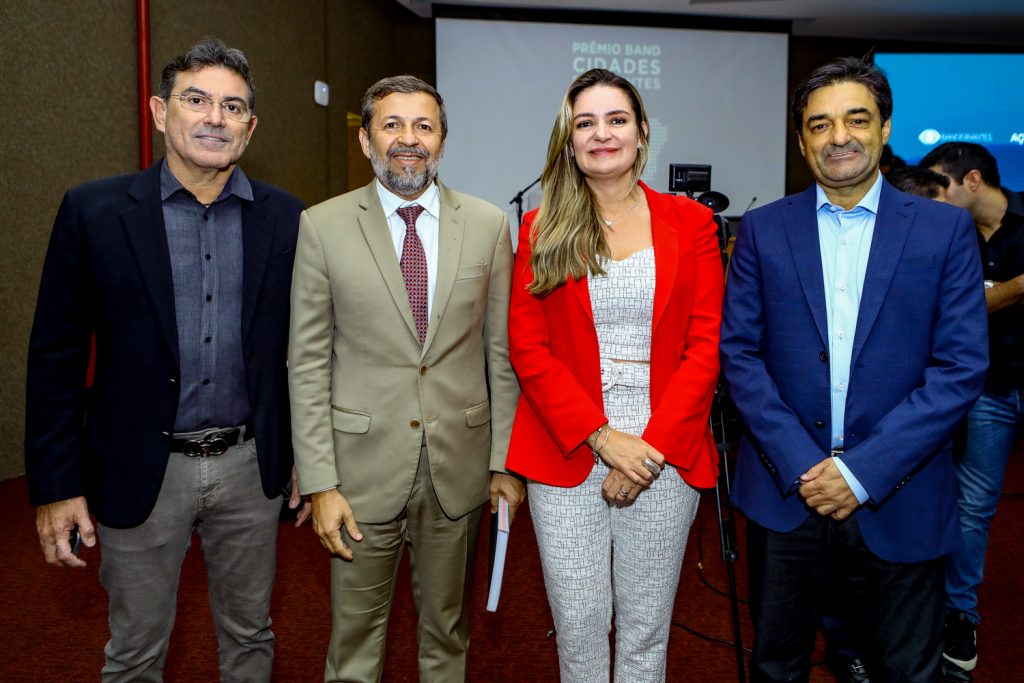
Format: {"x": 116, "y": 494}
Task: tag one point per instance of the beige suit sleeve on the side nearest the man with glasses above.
{"x": 310, "y": 349}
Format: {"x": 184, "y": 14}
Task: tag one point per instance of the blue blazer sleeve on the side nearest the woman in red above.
{"x": 773, "y": 426}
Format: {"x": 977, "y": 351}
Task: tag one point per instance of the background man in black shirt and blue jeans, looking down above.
{"x": 994, "y": 423}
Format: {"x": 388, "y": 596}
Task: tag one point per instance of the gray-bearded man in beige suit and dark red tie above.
{"x": 402, "y": 392}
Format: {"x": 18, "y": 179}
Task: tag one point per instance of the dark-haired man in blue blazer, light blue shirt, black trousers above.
{"x": 854, "y": 340}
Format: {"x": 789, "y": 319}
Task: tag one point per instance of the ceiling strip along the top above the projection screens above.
{"x": 960, "y": 22}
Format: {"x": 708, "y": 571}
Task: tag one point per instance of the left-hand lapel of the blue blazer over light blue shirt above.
{"x": 801, "y": 228}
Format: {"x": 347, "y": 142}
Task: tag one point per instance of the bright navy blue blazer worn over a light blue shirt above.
{"x": 919, "y": 364}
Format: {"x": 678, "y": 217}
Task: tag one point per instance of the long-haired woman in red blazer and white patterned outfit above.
{"x": 614, "y": 334}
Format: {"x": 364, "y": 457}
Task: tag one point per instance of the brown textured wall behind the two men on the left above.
{"x": 69, "y": 114}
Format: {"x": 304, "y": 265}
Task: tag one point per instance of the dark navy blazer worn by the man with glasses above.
{"x": 108, "y": 272}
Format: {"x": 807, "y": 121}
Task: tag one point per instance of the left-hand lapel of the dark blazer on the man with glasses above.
{"x": 144, "y": 227}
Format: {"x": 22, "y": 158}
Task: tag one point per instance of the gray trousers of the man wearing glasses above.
{"x": 223, "y": 498}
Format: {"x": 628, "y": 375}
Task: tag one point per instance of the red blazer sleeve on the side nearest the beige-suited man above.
{"x": 553, "y": 393}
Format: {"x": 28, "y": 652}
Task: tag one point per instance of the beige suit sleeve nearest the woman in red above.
{"x": 502, "y": 382}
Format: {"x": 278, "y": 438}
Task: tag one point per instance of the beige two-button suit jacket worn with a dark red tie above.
{"x": 364, "y": 394}
